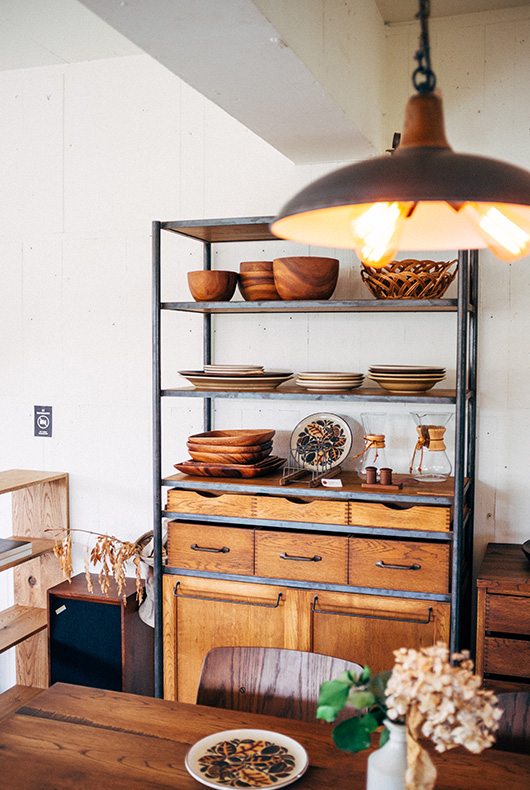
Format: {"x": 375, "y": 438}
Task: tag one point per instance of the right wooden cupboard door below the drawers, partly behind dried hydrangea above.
{"x": 367, "y": 629}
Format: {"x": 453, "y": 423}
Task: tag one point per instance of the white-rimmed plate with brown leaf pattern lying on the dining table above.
{"x": 247, "y": 758}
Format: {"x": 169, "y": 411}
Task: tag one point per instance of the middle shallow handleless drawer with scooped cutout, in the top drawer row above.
{"x": 317, "y": 511}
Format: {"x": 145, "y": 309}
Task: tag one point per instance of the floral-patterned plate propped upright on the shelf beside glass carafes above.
{"x": 321, "y": 441}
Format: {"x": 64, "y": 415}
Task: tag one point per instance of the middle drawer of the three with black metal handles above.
{"x": 297, "y": 555}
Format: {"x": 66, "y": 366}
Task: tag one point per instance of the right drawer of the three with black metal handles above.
{"x": 399, "y": 565}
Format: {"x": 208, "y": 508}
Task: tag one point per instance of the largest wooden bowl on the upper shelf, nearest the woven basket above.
{"x": 305, "y": 277}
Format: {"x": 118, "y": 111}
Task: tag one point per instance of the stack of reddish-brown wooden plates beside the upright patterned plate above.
{"x": 237, "y": 453}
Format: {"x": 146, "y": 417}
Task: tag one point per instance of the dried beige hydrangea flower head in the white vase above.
{"x": 442, "y": 700}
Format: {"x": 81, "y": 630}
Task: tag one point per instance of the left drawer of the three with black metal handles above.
{"x": 206, "y": 547}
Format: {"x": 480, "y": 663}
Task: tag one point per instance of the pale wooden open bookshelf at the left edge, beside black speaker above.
{"x": 39, "y": 514}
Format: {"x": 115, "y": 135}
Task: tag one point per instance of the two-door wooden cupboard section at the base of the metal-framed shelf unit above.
{"x": 361, "y": 628}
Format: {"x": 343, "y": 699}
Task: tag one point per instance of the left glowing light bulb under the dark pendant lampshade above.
{"x": 376, "y": 231}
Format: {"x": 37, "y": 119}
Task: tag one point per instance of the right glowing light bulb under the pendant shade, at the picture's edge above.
{"x": 506, "y": 234}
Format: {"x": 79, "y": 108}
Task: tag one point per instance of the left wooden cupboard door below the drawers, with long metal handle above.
{"x": 201, "y": 613}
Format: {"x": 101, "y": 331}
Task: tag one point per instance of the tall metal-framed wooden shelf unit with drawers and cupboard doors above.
{"x": 359, "y": 573}
